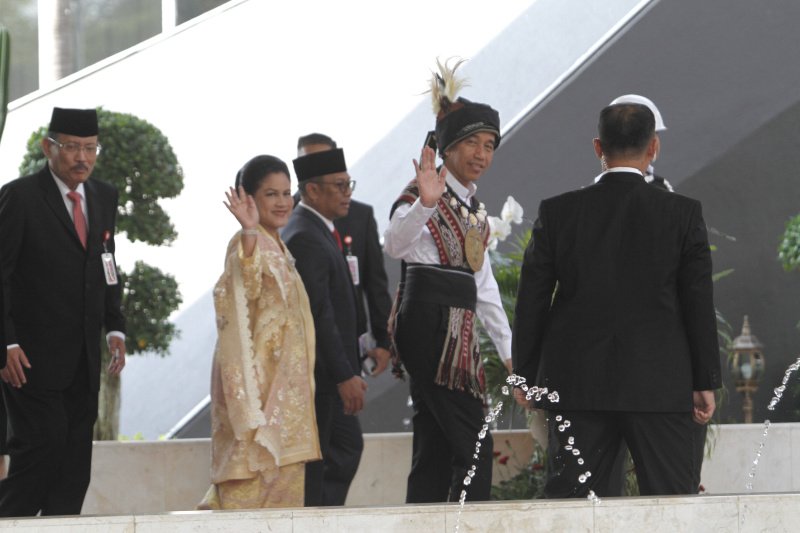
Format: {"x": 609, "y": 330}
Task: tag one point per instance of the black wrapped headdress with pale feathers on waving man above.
{"x": 457, "y": 119}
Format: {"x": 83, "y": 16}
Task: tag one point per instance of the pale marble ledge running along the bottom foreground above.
{"x": 776, "y": 512}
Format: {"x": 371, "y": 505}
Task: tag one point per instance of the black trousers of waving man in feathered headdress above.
{"x": 446, "y": 422}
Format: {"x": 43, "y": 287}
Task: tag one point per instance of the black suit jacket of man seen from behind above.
{"x": 632, "y": 325}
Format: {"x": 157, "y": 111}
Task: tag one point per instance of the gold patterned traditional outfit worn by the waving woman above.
{"x": 263, "y": 425}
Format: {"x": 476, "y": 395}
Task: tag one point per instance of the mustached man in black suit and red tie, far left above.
{"x": 61, "y": 290}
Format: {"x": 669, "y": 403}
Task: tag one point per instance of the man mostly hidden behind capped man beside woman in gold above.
{"x": 363, "y": 250}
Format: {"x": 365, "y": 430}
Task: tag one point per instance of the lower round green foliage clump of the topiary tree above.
{"x": 149, "y": 297}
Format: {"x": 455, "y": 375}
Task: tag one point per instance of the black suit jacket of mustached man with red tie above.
{"x": 56, "y": 300}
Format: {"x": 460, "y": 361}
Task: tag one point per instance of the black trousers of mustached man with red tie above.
{"x": 50, "y": 444}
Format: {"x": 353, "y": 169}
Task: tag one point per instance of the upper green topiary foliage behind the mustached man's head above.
{"x": 139, "y": 161}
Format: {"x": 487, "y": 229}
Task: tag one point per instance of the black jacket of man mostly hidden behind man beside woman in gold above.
{"x": 360, "y": 225}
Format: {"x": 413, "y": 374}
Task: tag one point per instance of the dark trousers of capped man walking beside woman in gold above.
{"x": 328, "y": 481}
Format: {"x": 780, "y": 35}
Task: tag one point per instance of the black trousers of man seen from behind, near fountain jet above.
{"x": 662, "y": 446}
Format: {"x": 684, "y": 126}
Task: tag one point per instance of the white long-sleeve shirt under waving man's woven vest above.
{"x": 409, "y": 239}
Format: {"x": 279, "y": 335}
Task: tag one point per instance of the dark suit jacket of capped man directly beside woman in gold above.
{"x": 330, "y": 291}
